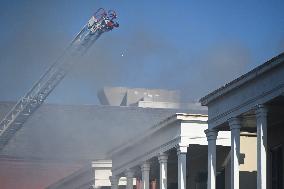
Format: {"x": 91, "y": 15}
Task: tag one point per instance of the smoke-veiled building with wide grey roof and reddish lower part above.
{"x": 61, "y": 139}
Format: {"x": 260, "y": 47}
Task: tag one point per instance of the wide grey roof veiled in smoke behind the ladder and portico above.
{"x": 85, "y": 132}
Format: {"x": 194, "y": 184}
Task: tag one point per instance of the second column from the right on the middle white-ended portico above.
{"x": 163, "y": 160}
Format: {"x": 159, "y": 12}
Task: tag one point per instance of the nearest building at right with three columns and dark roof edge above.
{"x": 253, "y": 103}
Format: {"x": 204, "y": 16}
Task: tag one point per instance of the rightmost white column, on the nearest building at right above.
{"x": 261, "y": 124}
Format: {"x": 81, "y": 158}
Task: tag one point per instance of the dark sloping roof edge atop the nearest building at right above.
{"x": 251, "y": 75}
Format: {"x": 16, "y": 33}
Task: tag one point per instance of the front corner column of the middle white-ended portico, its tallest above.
{"x": 181, "y": 153}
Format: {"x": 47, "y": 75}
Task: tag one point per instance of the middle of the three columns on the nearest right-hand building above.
{"x": 235, "y": 126}
